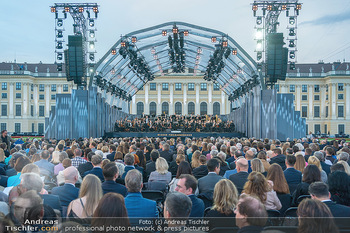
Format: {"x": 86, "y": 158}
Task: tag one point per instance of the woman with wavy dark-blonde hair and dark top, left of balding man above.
{"x": 225, "y": 199}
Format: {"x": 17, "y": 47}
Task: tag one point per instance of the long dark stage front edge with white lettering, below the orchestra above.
{"x": 172, "y": 134}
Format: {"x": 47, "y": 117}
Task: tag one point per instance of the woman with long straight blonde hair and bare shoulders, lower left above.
{"x": 89, "y": 195}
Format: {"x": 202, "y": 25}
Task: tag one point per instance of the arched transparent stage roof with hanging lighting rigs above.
{"x": 171, "y": 48}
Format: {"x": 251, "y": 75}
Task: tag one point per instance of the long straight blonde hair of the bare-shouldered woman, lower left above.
{"x": 91, "y": 188}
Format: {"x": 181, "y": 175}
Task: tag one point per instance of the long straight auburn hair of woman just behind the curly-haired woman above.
{"x": 276, "y": 175}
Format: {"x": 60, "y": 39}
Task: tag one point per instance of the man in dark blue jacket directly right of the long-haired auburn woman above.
{"x": 292, "y": 175}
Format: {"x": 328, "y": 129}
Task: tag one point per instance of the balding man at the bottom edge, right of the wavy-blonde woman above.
{"x": 251, "y": 215}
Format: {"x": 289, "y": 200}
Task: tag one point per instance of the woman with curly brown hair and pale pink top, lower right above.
{"x": 258, "y": 185}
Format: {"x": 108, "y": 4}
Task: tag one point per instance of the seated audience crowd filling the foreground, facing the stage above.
{"x": 118, "y": 181}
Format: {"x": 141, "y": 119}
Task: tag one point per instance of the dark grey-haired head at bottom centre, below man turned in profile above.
{"x": 177, "y": 205}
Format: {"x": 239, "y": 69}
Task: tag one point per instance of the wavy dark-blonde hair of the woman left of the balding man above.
{"x": 225, "y": 197}
